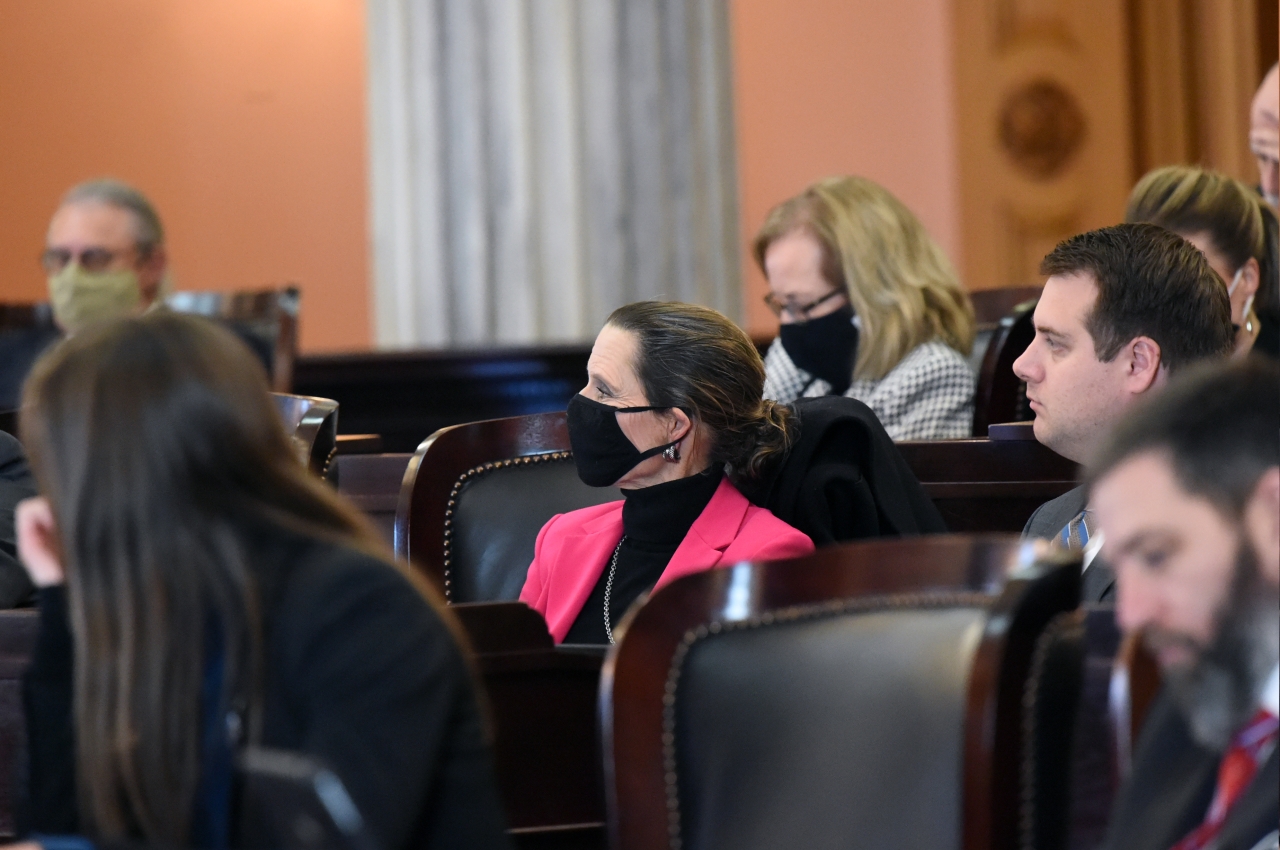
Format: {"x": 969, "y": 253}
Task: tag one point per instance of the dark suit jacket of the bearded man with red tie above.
{"x": 1172, "y": 787}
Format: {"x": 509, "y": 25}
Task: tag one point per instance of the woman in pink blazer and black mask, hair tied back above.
{"x": 673, "y": 414}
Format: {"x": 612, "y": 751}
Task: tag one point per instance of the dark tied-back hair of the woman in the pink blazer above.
{"x": 696, "y": 359}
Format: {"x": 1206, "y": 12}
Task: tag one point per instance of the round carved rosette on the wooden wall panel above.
{"x": 1041, "y": 129}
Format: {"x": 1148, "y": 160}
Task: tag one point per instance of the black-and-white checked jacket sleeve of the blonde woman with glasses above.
{"x": 929, "y": 396}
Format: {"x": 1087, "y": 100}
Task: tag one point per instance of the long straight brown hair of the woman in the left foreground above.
{"x": 162, "y": 454}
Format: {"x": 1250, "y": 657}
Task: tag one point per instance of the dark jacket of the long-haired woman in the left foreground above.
{"x": 362, "y": 674}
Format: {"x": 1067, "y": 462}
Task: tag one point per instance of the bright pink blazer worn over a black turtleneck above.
{"x": 574, "y": 549}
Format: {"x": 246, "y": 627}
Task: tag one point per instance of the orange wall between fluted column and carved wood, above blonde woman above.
{"x": 844, "y": 88}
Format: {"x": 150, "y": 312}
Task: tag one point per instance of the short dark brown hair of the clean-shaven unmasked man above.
{"x": 1151, "y": 284}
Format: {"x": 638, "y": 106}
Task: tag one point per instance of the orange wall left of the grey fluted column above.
{"x": 243, "y": 120}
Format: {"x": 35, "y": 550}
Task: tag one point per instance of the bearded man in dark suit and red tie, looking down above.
{"x": 1187, "y": 493}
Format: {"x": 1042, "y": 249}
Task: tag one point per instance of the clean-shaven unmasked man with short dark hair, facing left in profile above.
{"x": 1122, "y": 310}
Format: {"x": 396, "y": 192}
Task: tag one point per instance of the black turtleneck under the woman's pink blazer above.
{"x": 655, "y": 523}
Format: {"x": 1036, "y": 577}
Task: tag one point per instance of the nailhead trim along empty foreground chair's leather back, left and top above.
{"x": 796, "y": 614}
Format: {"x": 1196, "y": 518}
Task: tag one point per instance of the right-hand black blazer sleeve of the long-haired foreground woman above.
{"x": 382, "y": 693}
